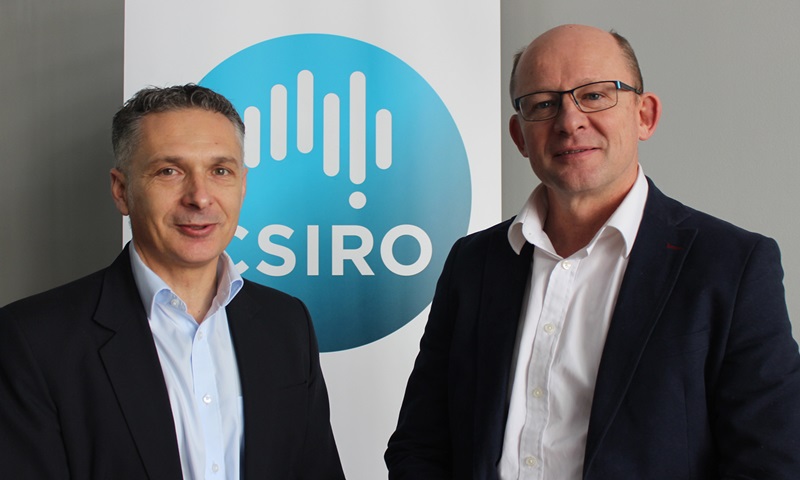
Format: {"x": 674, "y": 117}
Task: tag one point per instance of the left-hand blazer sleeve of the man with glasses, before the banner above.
{"x": 420, "y": 448}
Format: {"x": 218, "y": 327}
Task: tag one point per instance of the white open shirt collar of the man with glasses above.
{"x": 528, "y": 226}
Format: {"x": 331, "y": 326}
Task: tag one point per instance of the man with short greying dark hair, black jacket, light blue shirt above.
{"x": 166, "y": 364}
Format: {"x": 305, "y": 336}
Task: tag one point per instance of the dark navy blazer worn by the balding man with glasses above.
{"x": 699, "y": 377}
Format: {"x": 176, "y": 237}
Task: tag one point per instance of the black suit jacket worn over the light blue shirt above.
{"x": 82, "y": 395}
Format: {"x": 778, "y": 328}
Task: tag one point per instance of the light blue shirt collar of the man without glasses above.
{"x": 150, "y": 285}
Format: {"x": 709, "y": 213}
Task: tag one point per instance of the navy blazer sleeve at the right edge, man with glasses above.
{"x": 756, "y": 405}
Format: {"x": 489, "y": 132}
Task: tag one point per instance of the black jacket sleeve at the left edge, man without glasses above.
{"x": 30, "y": 436}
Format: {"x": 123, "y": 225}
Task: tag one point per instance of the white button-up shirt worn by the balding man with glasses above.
{"x": 564, "y": 321}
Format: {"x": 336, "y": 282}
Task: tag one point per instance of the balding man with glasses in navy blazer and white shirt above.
{"x": 607, "y": 331}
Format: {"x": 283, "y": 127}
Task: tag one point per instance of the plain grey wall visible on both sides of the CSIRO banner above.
{"x": 724, "y": 69}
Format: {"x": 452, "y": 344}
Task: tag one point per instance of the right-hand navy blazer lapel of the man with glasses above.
{"x": 653, "y": 267}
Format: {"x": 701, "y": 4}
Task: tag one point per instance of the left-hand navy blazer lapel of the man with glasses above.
{"x": 506, "y": 275}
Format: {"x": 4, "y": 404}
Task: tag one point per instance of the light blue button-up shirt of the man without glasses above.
{"x": 199, "y": 366}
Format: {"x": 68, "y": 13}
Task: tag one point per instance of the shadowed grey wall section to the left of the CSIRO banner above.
{"x": 60, "y": 81}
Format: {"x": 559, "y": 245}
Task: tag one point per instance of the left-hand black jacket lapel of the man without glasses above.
{"x": 131, "y": 361}
